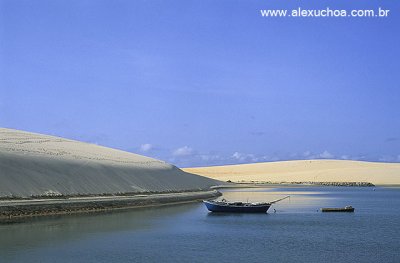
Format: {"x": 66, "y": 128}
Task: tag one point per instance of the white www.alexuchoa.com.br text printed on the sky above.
{"x": 327, "y": 12}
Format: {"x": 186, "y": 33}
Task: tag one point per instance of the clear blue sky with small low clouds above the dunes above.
{"x": 201, "y": 82}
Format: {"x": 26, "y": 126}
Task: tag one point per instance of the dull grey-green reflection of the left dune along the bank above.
{"x": 36, "y": 232}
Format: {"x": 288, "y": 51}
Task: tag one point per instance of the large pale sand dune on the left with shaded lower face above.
{"x": 36, "y": 164}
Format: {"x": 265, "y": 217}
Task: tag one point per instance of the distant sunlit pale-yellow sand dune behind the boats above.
{"x": 306, "y": 170}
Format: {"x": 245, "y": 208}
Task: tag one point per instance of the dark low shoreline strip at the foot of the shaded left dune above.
{"x": 18, "y": 209}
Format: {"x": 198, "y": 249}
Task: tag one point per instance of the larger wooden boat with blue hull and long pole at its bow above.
{"x": 238, "y": 207}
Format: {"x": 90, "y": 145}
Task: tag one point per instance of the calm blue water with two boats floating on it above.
{"x": 296, "y": 232}
